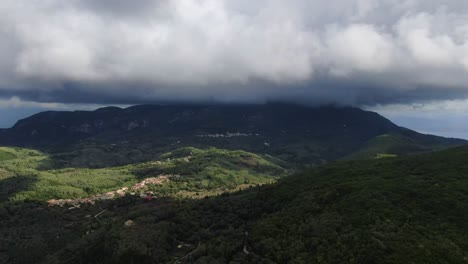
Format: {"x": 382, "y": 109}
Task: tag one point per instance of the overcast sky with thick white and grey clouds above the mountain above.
{"x": 406, "y": 59}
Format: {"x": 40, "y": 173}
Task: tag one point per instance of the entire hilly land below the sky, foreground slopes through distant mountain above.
{"x": 210, "y": 184}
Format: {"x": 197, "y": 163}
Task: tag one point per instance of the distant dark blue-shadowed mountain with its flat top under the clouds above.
{"x": 113, "y": 136}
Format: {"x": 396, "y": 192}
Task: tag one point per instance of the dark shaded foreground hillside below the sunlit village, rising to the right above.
{"x": 410, "y": 209}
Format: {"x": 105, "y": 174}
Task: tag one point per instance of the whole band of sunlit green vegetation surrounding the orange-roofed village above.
{"x": 196, "y": 172}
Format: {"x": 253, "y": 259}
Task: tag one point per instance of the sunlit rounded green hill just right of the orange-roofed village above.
{"x": 212, "y": 169}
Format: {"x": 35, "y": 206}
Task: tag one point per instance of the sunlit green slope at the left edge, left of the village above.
{"x": 24, "y": 177}
